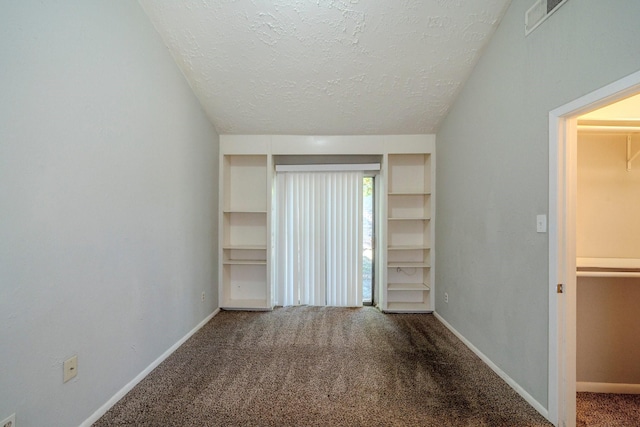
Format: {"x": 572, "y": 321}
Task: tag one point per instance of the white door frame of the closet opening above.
{"x": 562, "y": 243}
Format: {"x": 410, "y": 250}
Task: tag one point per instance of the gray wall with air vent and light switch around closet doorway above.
{"x": 492, "y": 174}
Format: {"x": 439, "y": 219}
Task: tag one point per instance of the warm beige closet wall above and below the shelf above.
{"x": 608, "y": 226}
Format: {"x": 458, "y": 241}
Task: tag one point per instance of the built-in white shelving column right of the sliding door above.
{"x": 408, "y": 235}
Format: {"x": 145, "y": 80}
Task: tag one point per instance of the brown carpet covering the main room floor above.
{"x": 313, "y": 366}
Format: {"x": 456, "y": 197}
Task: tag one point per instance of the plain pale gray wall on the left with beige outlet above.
{"x": 108, "y": 201}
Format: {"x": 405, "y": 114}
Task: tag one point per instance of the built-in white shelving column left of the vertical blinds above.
{"x": 244, "y": 232}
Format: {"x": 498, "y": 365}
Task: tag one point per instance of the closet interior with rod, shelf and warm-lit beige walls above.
{"x": 608, "y": 249}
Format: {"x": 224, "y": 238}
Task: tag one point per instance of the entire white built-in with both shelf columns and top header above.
{"x": 404, "y": 211}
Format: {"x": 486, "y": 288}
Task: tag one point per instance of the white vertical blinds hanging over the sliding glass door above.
{"x": 318, "y": 238}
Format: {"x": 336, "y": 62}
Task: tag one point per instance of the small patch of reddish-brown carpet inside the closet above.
{"x": 610, "y": 410}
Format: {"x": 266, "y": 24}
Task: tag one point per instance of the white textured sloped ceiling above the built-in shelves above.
{"x": 325, "y": 67}
